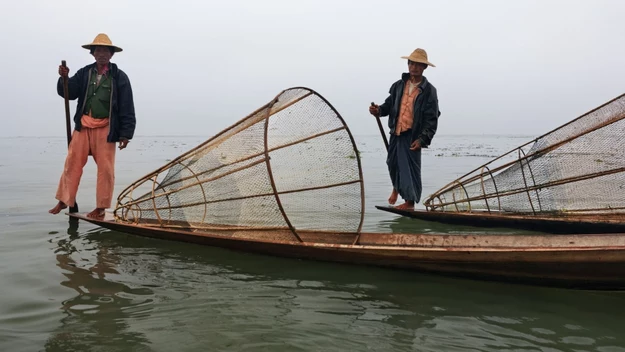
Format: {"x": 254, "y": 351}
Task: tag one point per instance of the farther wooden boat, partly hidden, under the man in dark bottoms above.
{"x": 558, "y": 224}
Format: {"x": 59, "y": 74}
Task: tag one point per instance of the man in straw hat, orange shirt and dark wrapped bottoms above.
{"x": 412, "y": 107}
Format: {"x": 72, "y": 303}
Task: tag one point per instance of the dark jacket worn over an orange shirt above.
{"x": 426, "y": 113}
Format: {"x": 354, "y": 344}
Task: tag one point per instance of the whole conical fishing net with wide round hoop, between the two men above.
{"x": 290, "y": 165}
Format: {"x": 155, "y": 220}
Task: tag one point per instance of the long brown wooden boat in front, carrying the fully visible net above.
{"x": 592, "y": 261}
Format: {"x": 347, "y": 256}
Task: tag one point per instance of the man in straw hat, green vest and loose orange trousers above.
{"x": 105, "y": 115}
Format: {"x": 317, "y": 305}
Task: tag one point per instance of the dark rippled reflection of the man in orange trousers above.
{"x": 98, "y": 315}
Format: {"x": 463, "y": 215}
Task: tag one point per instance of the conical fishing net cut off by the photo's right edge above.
{"x": 578, "y": 168}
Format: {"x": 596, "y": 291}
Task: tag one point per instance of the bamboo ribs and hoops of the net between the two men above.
{"x": 127, "y": 203}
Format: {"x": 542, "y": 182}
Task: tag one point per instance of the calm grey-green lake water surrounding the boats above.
{"x": 67, "y": 287}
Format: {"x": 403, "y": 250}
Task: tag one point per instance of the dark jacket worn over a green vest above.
{"x": 122, "y": 116}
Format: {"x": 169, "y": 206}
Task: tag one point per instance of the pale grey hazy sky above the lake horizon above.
{"x": 196, "y": 67}
